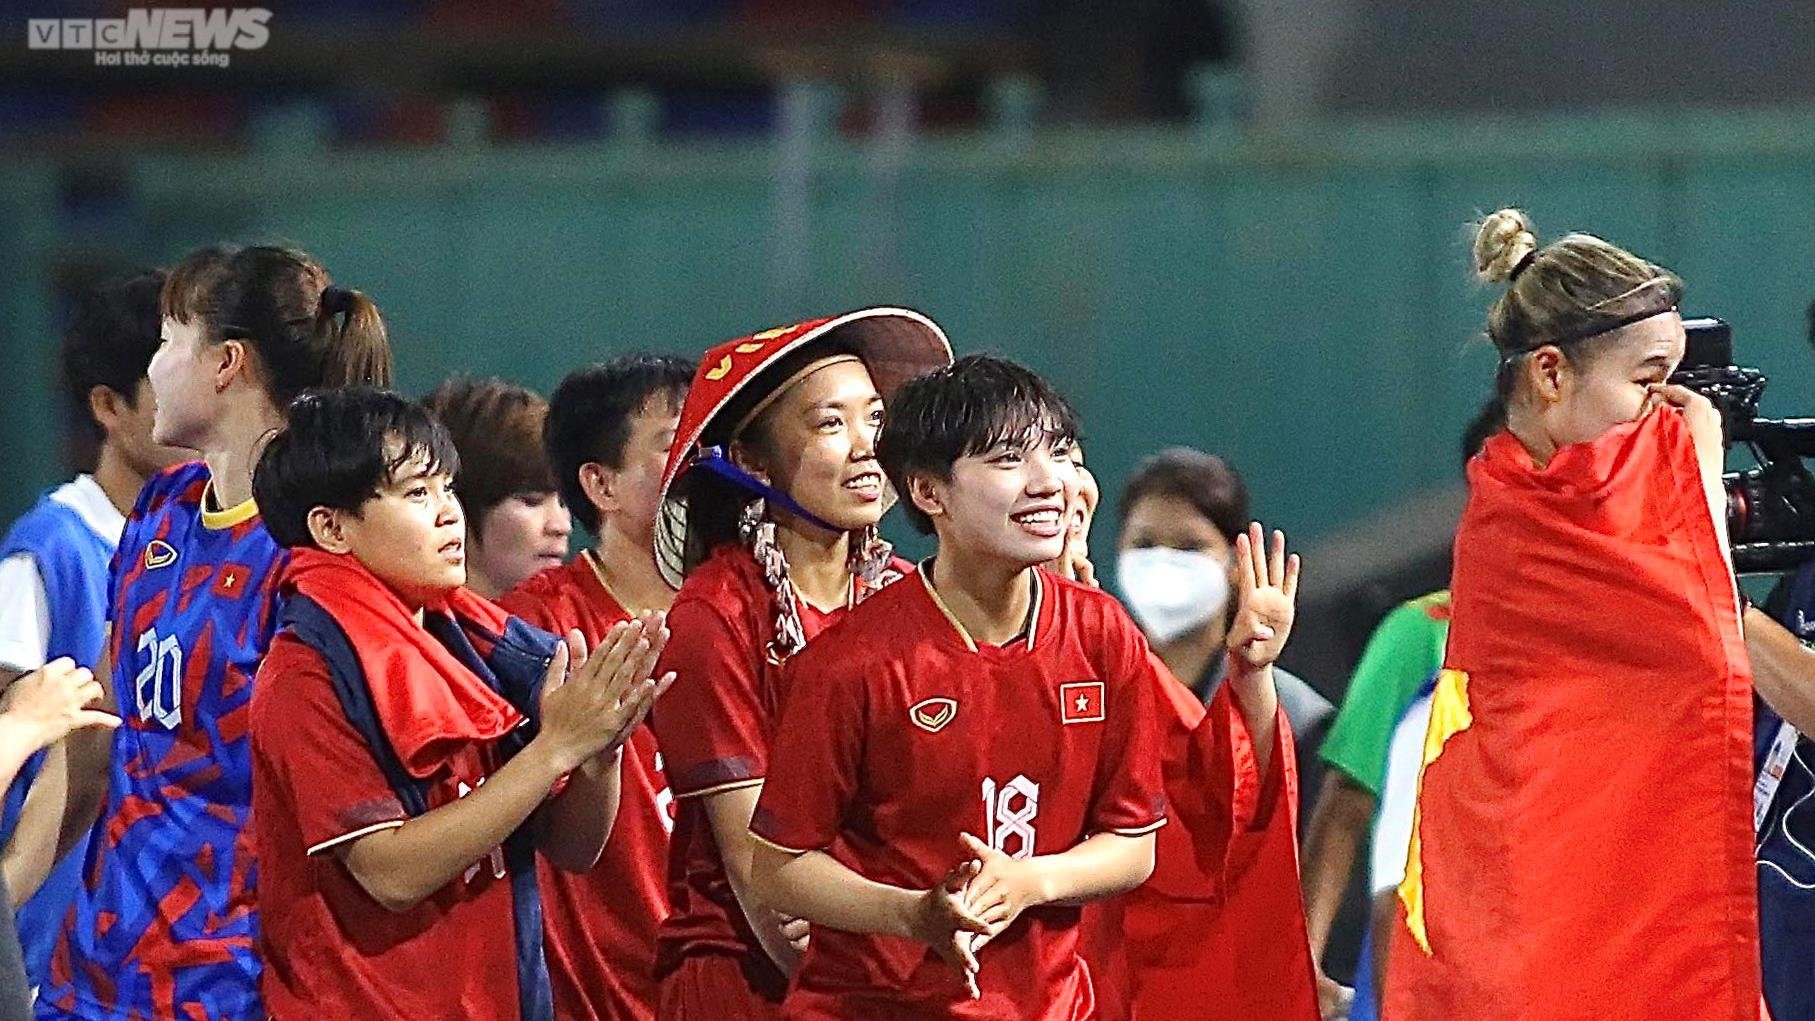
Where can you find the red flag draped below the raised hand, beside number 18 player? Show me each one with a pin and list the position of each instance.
(1219, 929)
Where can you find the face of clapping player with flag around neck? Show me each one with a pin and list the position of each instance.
(411, 534)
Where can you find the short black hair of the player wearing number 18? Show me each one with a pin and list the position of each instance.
(963, 411)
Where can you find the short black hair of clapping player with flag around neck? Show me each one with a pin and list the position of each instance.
(337, 451)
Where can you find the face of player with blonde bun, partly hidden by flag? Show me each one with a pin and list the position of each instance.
(1582, 398)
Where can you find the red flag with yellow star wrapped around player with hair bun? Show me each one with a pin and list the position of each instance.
(1584, 835)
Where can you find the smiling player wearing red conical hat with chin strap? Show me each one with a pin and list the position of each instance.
(770, 509)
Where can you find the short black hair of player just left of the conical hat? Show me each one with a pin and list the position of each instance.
(591, 411)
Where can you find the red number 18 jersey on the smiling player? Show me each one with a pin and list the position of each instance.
(901, 734)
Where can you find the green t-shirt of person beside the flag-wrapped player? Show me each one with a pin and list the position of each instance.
(1404, 654)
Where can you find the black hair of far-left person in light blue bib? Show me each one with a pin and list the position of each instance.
(110, 340)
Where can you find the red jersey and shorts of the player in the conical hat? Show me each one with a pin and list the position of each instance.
(714, 726)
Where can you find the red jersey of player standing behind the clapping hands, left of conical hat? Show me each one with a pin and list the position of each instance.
(602, 926)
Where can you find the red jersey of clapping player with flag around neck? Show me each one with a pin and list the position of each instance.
(329, 949)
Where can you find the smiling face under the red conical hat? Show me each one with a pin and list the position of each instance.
(818, 443)
